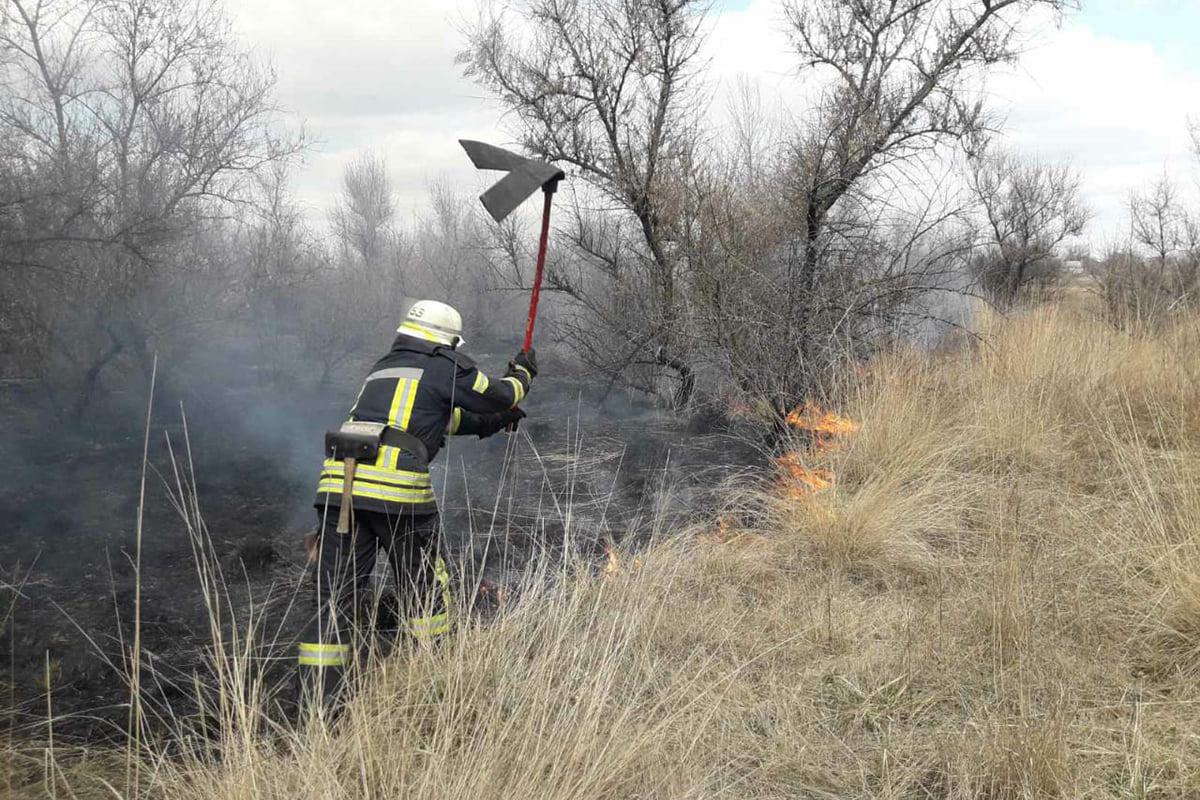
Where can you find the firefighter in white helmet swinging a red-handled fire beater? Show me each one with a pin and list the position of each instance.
(422, 390)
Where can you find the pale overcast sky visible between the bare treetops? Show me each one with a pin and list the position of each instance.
(1112, 89)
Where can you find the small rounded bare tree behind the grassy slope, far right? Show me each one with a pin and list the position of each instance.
(1030, 208)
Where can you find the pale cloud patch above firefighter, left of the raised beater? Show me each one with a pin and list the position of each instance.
(373, 76)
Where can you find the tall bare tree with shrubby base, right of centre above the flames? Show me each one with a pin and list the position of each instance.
(901, 82)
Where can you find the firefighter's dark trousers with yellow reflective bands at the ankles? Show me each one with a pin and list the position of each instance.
(346, 610)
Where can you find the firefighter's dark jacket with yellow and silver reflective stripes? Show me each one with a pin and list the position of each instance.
(428, 390)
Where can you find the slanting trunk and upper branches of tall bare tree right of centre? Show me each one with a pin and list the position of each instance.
(903, 80)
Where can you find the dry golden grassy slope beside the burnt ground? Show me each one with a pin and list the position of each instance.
(1000, 598)
